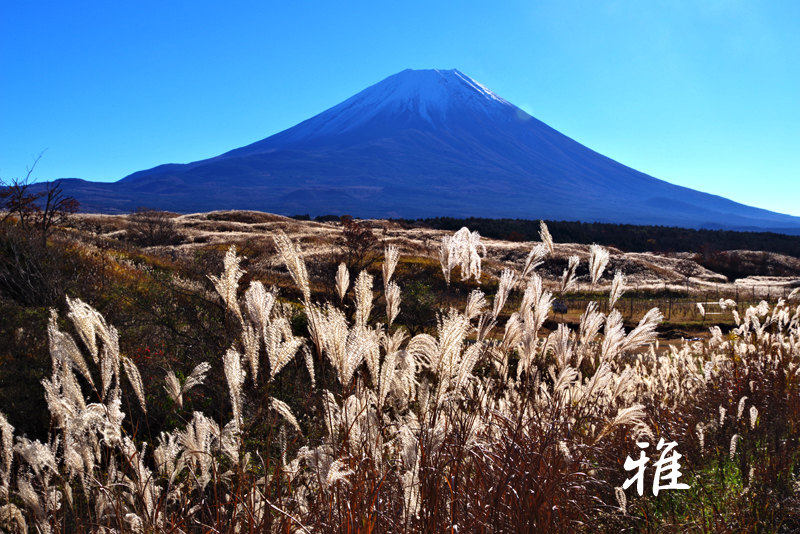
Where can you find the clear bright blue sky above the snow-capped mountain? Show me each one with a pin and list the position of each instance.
(702, 93)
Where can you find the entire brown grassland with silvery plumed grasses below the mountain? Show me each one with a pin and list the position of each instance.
(240, 379)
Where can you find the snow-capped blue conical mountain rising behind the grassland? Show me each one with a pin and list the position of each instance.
(424, 143)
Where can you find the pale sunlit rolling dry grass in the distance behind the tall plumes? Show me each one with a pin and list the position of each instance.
(645, 271)
